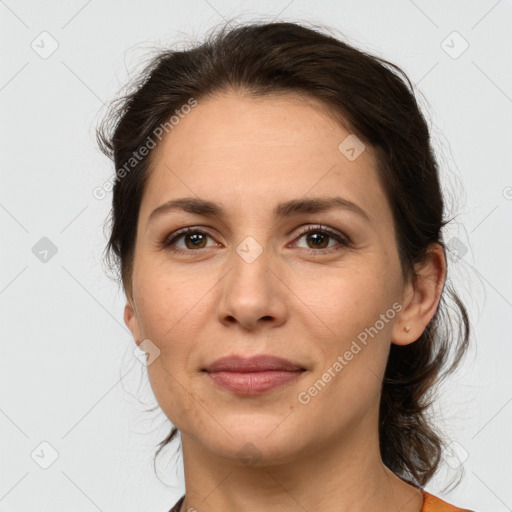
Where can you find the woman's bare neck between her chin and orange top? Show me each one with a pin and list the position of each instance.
(347, 476)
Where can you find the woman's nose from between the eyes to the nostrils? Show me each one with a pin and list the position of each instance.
(253, 293)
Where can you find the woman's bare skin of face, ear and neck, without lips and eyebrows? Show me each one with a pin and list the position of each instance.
(295, 300)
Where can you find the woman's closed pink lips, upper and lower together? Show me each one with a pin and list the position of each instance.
(254, 375)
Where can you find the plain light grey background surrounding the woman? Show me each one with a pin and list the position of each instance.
(68, 376)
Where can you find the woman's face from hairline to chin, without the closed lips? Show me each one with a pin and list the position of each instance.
(252, 282)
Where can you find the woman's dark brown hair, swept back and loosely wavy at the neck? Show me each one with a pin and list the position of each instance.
(376, 100)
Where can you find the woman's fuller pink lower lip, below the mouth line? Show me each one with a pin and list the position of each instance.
(253, 383)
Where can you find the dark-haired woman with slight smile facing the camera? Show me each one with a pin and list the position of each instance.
(276, 223)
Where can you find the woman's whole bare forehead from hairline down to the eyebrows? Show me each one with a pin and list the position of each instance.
(254, 152)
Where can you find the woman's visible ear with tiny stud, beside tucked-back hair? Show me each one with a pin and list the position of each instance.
(421, 297)
